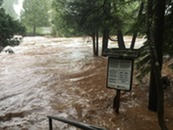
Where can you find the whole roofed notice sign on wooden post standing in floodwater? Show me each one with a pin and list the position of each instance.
(120, 71)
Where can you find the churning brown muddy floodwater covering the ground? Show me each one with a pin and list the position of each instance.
(61, 77)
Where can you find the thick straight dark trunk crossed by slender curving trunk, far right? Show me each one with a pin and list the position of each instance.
(158, 41)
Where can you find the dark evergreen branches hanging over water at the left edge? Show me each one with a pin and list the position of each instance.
(9, 27)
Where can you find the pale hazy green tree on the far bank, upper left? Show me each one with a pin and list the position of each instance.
(36, 14)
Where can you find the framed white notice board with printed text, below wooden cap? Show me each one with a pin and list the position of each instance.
(119, 73)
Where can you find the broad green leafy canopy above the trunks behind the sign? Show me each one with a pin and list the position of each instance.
(88, 15)
